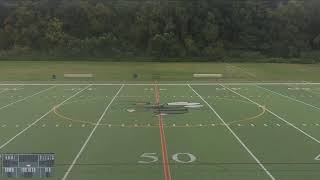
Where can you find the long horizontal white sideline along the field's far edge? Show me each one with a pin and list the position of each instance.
(168, 84)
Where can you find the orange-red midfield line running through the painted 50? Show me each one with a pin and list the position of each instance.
(166, 166)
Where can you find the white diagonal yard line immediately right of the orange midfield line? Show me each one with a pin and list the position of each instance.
(235, 135)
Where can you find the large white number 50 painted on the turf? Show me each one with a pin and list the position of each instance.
(184, 158)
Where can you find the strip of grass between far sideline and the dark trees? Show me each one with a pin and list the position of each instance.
(149, 71)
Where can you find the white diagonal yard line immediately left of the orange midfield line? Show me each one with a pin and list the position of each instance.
(90, 135)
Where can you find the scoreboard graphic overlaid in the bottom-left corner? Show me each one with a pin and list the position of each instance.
(27, 165)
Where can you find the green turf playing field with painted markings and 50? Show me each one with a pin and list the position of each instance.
(208, 131)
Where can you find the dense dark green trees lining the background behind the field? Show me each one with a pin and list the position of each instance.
(211, 29)
